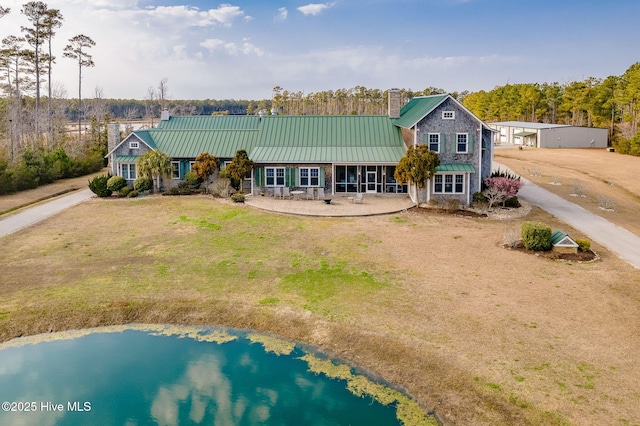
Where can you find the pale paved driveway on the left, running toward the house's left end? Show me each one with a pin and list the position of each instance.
(35, 214)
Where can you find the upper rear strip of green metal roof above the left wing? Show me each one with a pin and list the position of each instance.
(211, 122)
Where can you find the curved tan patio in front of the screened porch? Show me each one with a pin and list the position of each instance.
(339, 207)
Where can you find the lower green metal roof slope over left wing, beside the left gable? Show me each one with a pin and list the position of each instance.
(190, 143)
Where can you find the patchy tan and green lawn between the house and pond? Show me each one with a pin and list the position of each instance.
(431, 303)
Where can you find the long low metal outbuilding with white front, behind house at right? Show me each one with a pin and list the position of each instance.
(542, 135)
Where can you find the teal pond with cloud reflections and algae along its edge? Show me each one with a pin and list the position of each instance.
(168, 376)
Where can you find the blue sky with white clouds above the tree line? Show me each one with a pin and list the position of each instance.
(242, 49)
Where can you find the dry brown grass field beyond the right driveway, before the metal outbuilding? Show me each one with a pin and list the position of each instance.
(602, 174)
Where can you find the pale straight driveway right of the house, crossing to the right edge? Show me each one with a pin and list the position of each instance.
(620, 241)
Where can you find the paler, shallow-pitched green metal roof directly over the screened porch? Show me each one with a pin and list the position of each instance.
(327, 154)
